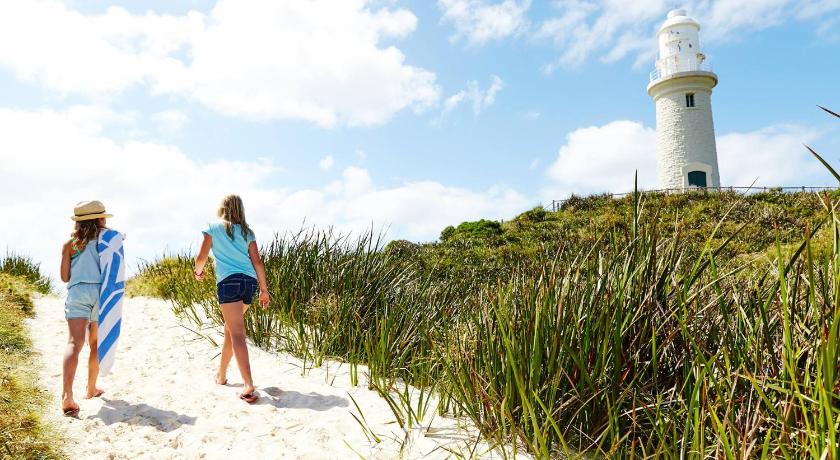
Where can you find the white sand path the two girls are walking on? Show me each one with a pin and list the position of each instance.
(161, 401)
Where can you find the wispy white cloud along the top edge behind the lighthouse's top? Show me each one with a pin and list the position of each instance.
(613, 29)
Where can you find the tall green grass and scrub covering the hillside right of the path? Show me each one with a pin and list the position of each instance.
(692, 325)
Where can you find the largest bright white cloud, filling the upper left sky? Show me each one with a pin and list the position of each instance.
(320, 61)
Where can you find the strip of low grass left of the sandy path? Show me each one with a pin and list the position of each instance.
(22, 434)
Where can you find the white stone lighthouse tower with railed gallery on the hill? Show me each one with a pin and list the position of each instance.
(681, 86)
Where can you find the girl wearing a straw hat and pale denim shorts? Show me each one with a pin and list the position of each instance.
(80, 270)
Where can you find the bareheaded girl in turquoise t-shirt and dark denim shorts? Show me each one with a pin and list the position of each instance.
(239, 269)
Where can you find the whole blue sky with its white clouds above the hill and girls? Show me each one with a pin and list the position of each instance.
(407, 114)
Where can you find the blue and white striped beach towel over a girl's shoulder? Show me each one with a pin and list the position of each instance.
(112, 266)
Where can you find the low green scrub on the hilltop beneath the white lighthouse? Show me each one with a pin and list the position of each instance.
(491, 249)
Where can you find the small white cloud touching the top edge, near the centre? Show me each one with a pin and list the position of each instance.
(480, 21)
